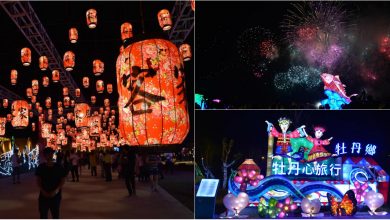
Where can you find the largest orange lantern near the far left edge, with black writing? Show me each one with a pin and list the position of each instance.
(19, 111)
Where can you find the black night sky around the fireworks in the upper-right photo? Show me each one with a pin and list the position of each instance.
(222, 73)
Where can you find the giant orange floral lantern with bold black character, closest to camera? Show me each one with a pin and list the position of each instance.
(152, 107)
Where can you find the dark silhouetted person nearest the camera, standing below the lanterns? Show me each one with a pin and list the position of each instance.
(50, 180)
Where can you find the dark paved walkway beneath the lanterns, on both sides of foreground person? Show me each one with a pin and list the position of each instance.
(92, 197)
